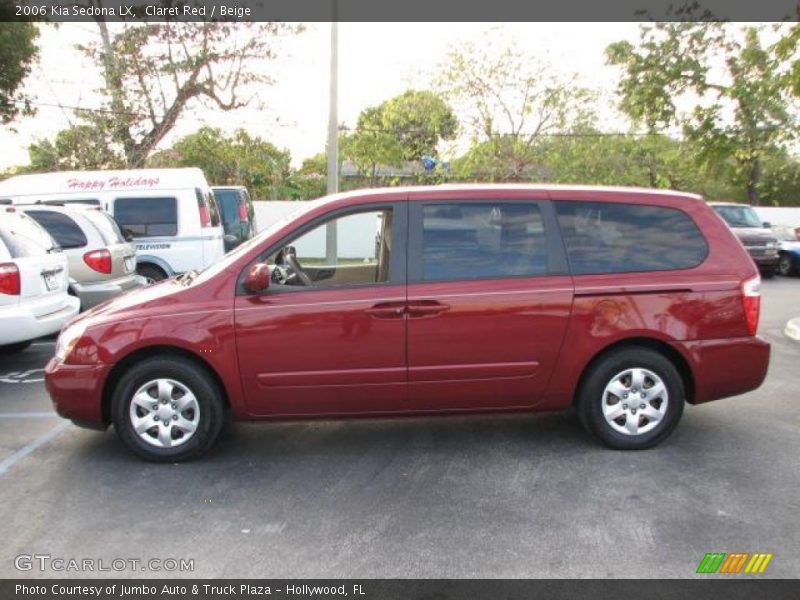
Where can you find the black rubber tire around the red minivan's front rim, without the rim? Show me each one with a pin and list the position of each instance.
(190, 375)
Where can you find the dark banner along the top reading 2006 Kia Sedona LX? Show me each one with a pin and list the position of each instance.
(398, 10)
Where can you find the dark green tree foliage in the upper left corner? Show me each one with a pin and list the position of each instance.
(18, 51)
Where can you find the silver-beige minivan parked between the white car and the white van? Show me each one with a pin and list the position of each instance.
(102, 264)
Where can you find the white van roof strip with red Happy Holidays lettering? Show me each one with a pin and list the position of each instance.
(63, 182)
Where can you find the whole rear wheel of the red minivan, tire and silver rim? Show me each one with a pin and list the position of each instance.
(631, 398)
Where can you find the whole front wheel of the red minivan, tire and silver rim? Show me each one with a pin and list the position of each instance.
(167, 409)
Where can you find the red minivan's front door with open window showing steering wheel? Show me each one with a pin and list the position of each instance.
(328, 337)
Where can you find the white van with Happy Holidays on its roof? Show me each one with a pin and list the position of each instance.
(170, 214)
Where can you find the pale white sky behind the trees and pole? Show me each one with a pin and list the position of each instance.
(376, 61)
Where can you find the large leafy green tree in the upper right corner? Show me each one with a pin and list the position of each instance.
(741, 114)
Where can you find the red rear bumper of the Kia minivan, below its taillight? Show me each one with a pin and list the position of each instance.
(728, 367)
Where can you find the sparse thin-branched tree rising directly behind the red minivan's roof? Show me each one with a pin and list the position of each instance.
(510, 102)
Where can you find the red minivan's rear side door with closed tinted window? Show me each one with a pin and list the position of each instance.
(489, 299)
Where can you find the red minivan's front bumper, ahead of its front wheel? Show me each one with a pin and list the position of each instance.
(77, 391)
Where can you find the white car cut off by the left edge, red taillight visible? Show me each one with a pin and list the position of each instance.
(33, 283)
